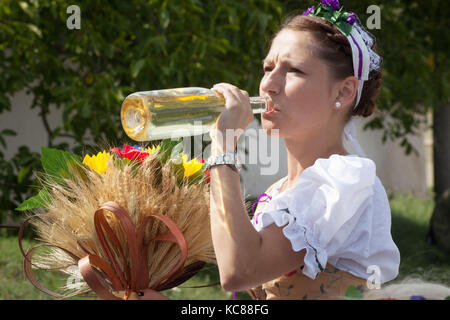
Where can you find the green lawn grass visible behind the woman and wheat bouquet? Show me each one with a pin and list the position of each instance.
(410, 221)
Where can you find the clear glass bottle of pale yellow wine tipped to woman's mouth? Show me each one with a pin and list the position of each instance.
(174, 113)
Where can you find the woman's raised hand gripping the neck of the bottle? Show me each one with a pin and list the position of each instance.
(233, 120)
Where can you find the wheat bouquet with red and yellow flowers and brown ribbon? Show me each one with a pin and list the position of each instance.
(126, 223)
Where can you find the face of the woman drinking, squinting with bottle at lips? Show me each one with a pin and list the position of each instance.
(299, 87)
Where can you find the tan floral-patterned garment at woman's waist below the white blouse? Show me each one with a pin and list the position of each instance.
(329, 284)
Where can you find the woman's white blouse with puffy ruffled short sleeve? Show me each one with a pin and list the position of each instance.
(339, 212)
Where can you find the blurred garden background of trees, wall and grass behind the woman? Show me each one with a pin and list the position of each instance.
(65, 70)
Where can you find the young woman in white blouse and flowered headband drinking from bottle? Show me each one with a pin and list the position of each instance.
(326, 225)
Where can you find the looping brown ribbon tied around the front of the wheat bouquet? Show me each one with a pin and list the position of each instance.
(130, 279)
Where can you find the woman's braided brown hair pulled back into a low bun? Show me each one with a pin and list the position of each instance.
(334, 49)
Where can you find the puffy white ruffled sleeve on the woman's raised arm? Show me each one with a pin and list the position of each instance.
(322, 209)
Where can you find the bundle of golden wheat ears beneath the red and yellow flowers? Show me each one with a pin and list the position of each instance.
(142, 189)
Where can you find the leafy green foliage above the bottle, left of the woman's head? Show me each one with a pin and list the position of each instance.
(122, 47)
